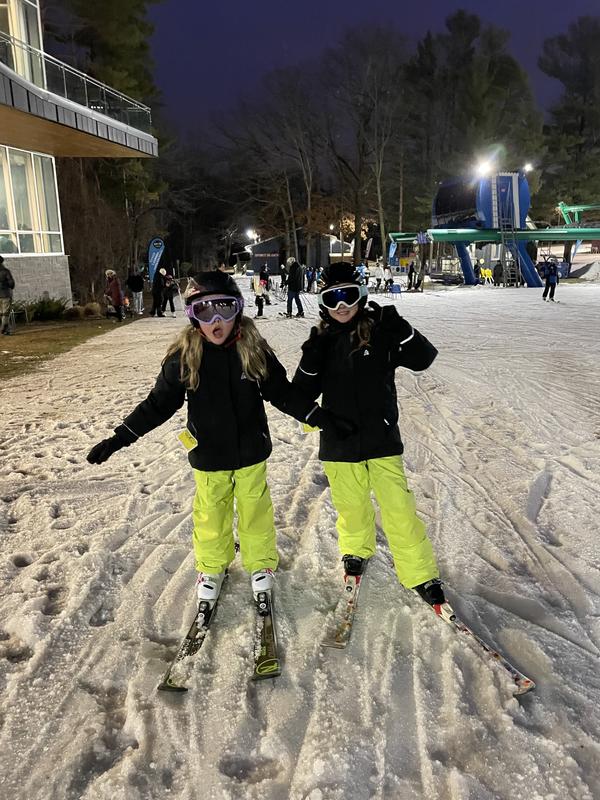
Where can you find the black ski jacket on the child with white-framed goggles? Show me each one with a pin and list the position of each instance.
(358, 383)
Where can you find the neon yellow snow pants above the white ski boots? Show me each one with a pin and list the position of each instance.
(213, 509)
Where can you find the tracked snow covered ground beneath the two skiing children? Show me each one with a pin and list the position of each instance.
(503, 452)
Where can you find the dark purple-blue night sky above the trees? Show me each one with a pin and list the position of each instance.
(209, 53)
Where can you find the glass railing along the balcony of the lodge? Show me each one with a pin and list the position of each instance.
(53, 75)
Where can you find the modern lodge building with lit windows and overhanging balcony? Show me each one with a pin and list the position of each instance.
(49, 109)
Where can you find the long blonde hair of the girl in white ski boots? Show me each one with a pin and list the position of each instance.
(251, 347)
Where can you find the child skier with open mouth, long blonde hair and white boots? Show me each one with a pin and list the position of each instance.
(225, 369)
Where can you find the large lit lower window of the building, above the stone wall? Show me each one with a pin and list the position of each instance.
(29, 210)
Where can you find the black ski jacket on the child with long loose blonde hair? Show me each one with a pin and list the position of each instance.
(226, 412)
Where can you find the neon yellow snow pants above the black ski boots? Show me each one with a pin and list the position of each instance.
(351, 485)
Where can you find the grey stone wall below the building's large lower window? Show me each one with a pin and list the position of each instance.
(35, 275)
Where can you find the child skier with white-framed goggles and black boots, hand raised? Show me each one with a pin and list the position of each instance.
(350, 359)
